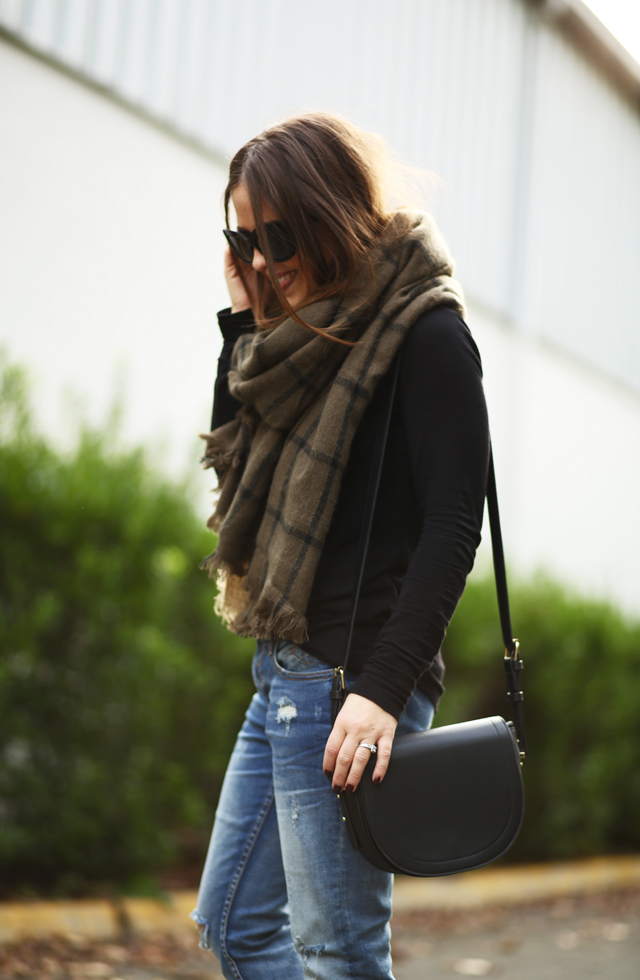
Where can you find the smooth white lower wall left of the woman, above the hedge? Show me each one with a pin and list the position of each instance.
(110, 259)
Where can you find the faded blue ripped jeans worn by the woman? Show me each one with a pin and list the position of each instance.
(283, 894)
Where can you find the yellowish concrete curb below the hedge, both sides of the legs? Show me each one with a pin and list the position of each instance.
(104, 920)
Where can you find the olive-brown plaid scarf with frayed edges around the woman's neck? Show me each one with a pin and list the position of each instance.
(281, 460)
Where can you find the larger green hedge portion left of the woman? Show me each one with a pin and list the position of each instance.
(120, 693)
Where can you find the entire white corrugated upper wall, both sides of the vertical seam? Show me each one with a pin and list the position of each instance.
(538, 155)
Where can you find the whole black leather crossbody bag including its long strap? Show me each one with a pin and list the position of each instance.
(452, 798)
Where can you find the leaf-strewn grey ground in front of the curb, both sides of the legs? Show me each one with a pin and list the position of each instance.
(568, 939)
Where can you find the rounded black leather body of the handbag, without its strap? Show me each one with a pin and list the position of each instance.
(452, 798)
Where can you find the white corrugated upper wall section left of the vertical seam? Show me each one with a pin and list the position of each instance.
(436, 79)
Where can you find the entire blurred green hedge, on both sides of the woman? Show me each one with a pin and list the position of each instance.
(120, 694)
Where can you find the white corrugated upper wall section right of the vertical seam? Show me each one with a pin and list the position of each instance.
(582, 285)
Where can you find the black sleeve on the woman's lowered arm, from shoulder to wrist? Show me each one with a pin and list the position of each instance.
(445, 421)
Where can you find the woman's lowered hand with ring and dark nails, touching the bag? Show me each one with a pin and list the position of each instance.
(359, 720)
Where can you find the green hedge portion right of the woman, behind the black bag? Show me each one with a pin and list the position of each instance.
(581, 680)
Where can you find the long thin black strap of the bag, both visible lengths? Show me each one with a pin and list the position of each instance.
(512, 661)
